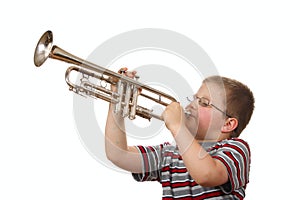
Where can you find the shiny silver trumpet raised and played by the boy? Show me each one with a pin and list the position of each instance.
(125, 99)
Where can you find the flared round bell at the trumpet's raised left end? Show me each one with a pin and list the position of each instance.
(43, 48)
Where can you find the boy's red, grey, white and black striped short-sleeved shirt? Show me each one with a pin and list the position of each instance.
(164, 164)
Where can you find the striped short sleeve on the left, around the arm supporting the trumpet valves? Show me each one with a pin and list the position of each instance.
(151, 162)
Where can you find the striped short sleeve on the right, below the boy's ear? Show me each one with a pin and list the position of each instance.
(235, 155)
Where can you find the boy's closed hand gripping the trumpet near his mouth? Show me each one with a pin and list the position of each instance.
(173, 117)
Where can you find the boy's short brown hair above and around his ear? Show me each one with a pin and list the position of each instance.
(239, 100)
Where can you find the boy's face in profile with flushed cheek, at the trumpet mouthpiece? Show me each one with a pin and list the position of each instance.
(206, 122)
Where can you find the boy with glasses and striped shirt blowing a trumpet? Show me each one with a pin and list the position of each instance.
(208, 161)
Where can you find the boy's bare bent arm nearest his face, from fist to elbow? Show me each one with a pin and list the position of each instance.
(204, 169)
